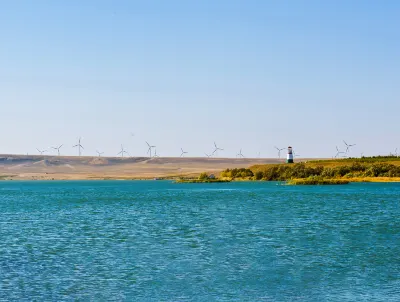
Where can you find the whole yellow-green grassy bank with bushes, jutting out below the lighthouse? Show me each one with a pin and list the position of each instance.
(353, 170)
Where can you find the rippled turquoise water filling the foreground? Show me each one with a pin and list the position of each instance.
(158, 241)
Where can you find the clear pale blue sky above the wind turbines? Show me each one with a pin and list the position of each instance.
(247, 74)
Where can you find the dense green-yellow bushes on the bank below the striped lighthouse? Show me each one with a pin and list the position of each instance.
(301, 170)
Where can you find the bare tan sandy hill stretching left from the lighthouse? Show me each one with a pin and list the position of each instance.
(85, 167)
